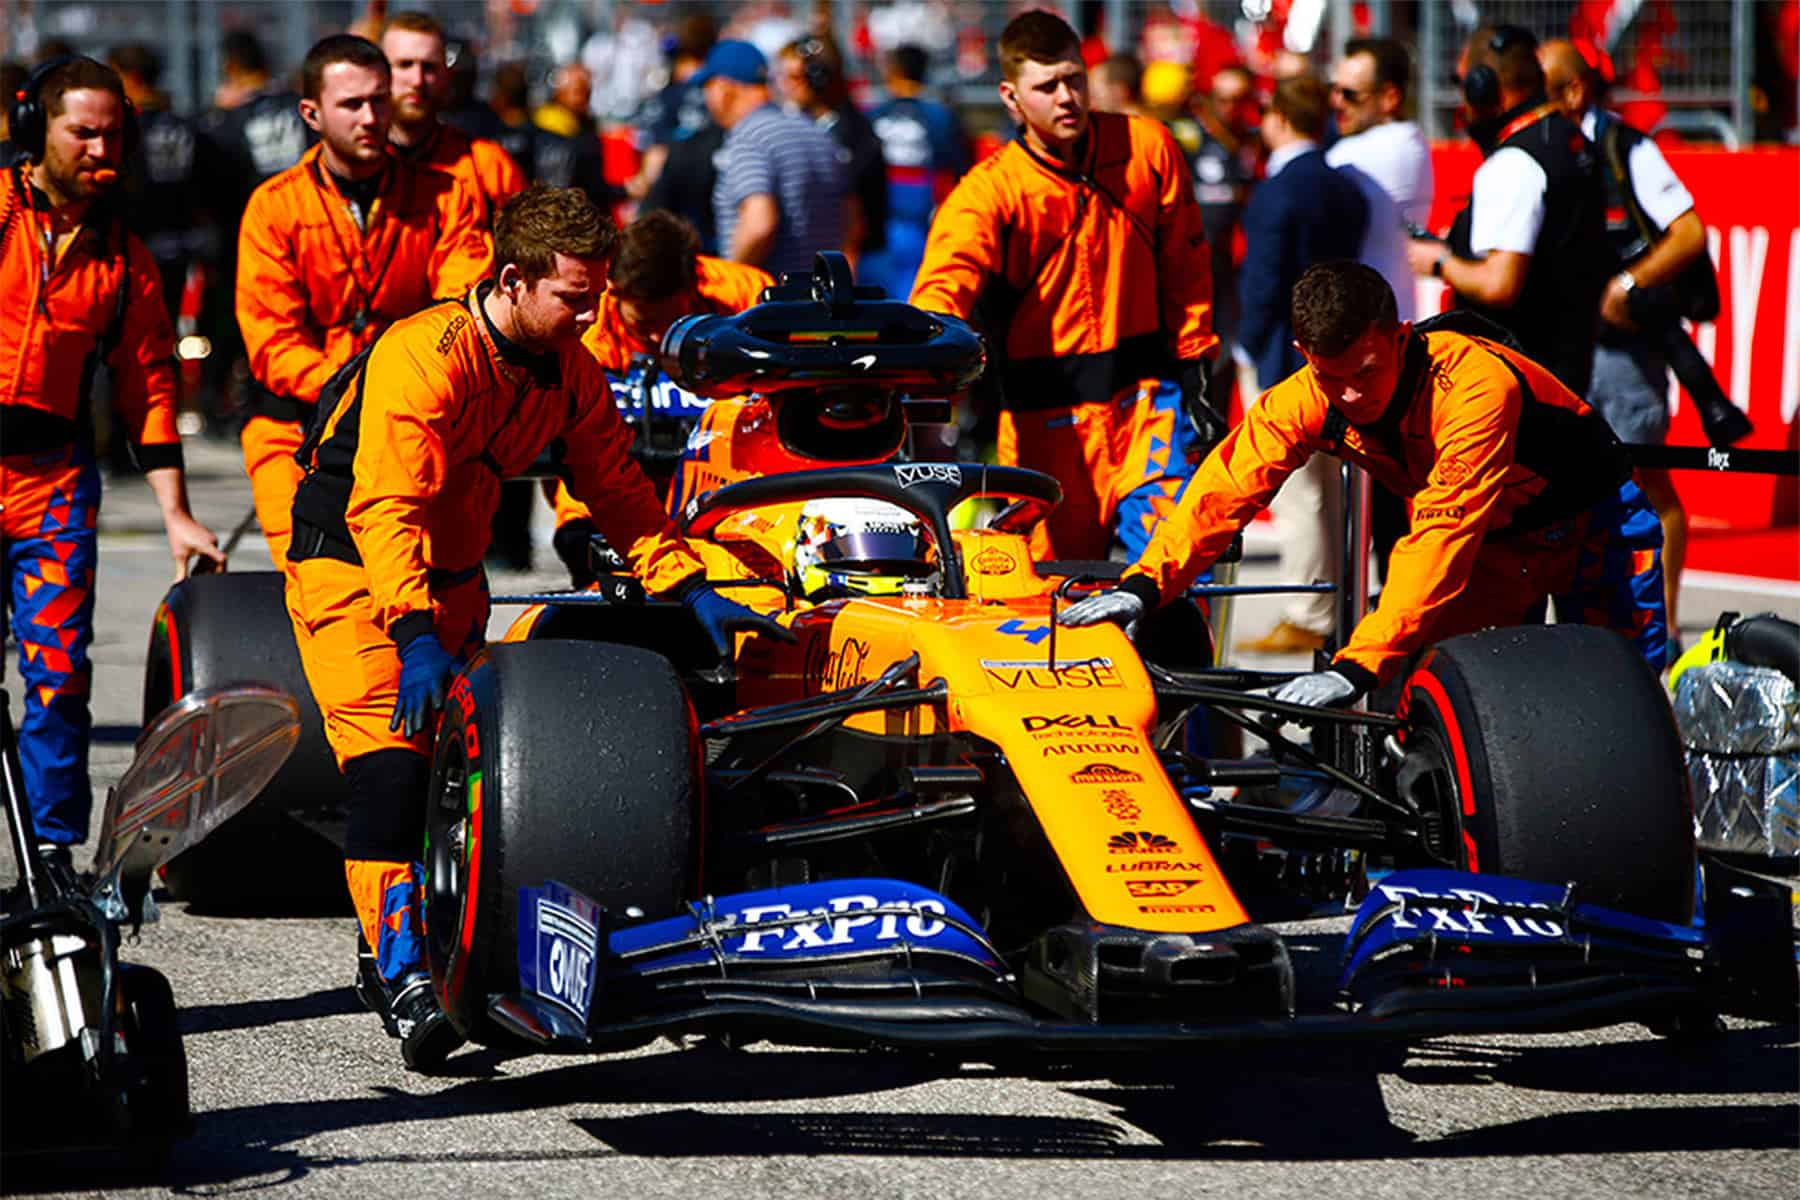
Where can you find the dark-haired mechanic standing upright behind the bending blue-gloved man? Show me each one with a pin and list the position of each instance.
(330, 253)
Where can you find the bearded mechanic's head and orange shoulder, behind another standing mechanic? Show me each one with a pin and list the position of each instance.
(415, 48)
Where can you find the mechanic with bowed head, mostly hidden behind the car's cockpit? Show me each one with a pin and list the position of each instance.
(658, 278)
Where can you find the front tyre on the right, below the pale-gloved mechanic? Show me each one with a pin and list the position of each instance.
(1551, 755)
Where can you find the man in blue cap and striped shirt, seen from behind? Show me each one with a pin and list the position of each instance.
(782, 184)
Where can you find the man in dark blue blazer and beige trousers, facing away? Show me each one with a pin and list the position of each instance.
(1300, 215)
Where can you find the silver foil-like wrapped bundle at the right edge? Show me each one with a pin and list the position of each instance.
(1741, 730)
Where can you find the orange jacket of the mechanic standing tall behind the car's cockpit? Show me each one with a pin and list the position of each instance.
(1084, 282)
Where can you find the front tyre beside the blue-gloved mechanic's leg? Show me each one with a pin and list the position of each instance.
(570, 762)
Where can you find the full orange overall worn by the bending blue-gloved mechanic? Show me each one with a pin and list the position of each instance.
(390, 532)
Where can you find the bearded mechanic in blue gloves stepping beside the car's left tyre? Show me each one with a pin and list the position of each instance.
(386, 584)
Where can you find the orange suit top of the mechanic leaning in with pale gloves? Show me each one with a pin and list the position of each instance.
(1480, 442)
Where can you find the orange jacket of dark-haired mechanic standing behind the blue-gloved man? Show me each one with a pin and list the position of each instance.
(314, 289)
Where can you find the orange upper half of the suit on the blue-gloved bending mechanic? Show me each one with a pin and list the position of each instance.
(409, 465)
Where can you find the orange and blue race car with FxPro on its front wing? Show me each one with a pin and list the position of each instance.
(944, 819)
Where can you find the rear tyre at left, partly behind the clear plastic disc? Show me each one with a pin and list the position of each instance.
(233, 629)
